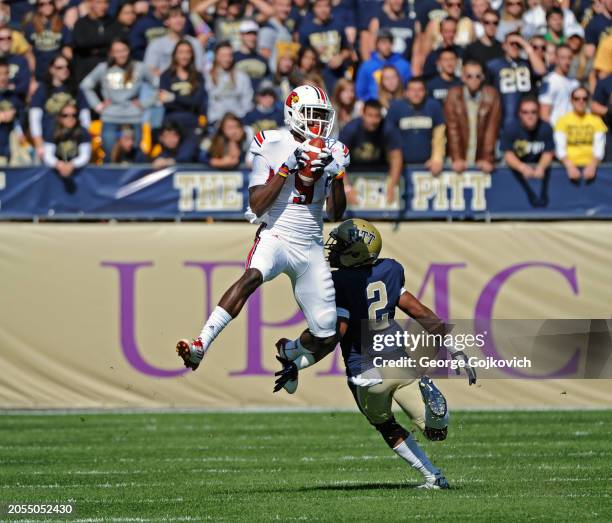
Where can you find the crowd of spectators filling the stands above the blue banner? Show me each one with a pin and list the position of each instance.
(456, 83)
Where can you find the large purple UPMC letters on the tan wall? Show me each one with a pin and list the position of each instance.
(438, 276)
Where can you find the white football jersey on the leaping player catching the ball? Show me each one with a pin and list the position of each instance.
(298, 210)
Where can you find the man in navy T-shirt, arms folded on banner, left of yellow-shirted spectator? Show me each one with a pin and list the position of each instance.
(528, 144)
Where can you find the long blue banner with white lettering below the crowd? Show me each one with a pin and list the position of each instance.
(195, 192)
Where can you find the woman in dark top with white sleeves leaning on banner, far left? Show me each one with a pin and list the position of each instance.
(69, 148)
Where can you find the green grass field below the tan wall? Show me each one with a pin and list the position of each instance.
(503, 466)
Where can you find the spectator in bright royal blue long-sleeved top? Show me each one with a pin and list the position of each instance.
(368, 76)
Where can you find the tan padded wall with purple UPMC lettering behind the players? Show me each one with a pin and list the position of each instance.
(90, 313)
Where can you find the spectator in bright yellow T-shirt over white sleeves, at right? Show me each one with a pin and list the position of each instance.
(580, 138)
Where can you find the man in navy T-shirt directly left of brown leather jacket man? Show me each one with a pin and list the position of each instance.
(420, 122)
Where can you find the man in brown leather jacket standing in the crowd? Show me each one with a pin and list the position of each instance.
(473, 113)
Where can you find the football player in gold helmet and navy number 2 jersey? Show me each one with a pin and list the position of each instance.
(369, 288)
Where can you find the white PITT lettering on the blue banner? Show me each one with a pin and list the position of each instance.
(449, 191)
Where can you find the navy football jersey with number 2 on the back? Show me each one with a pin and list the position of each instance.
(366, 295)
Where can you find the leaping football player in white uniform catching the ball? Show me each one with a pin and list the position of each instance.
(289, 240)
